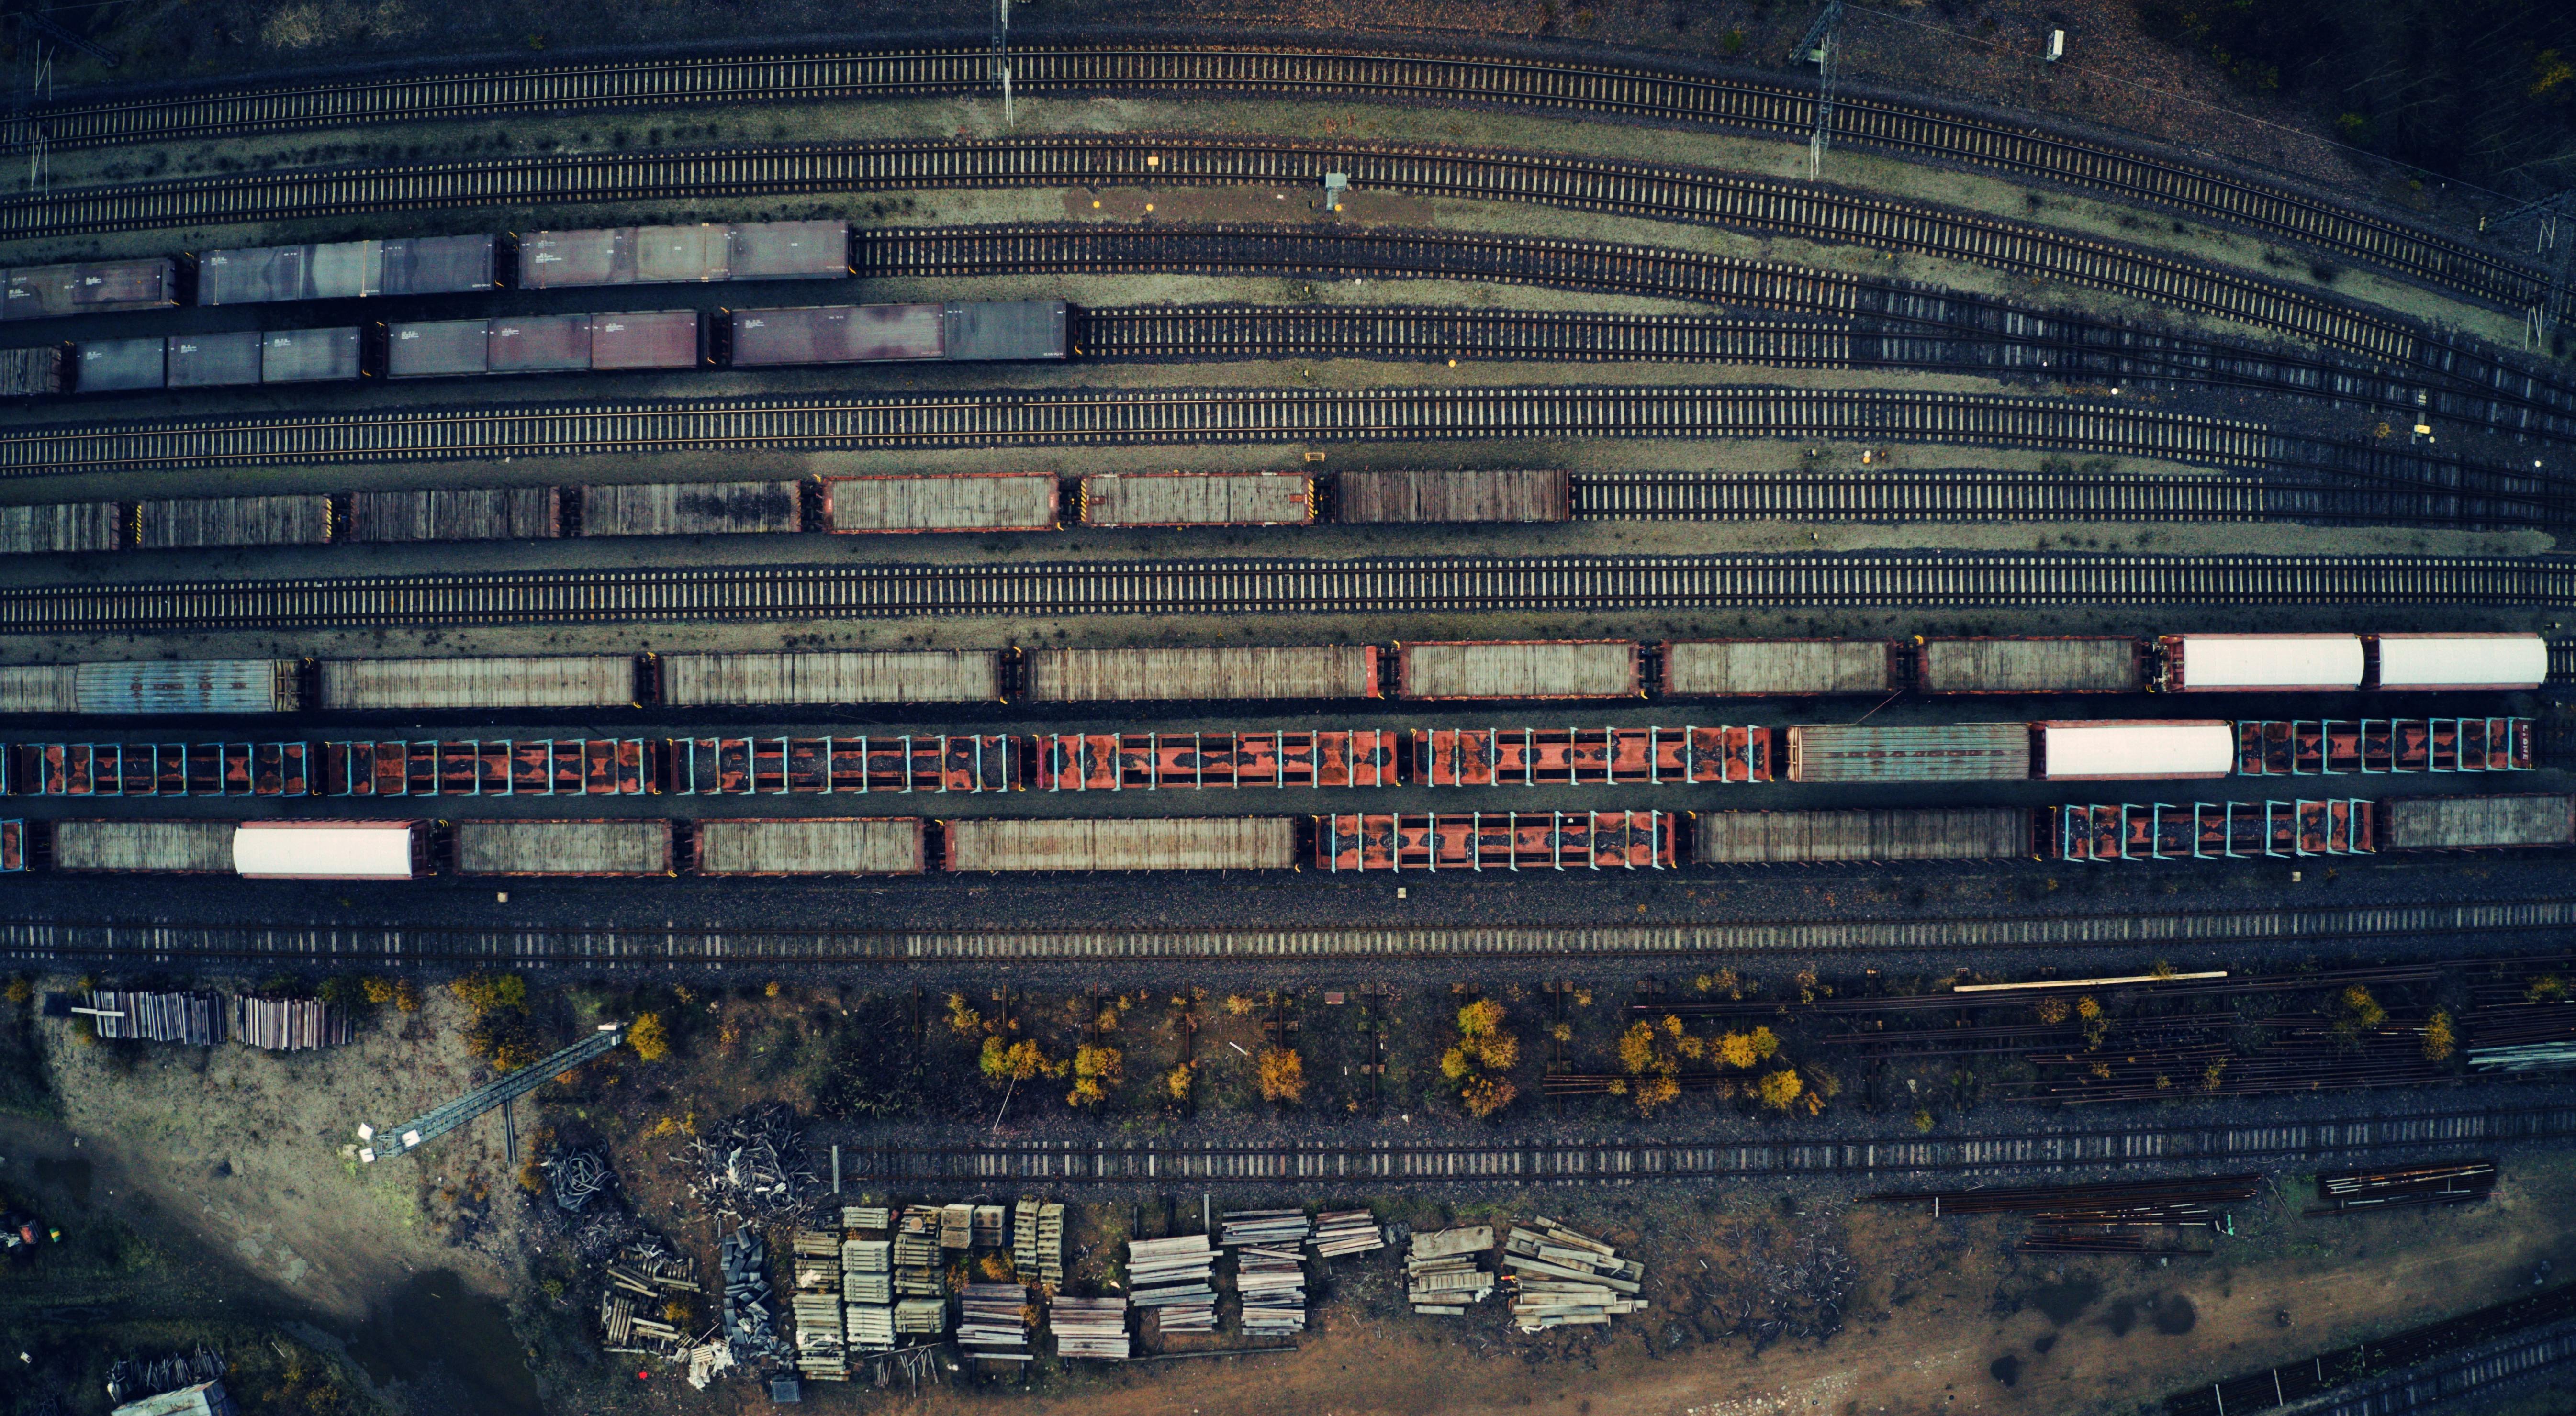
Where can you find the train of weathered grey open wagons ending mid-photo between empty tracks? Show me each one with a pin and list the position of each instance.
(851, 506)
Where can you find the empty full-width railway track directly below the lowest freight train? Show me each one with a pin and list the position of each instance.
(666, 946)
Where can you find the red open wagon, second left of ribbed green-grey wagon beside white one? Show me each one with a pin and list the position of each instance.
(1364, 758)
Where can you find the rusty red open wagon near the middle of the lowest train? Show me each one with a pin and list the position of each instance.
(1498, 841)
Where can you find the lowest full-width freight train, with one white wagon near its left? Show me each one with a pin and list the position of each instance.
(1338, 843)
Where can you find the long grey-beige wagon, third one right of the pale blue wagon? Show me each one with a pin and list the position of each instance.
(1215, 676)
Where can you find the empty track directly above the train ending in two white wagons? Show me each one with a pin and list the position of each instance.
(1284, 588)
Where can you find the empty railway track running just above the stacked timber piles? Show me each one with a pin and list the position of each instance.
(1642, 1160)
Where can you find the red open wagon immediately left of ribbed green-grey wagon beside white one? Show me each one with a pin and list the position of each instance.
(1482, 758)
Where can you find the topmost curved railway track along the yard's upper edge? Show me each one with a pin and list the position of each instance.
(1627, 91)
